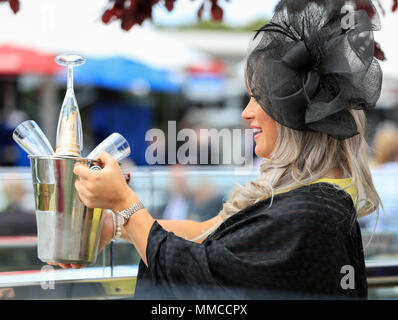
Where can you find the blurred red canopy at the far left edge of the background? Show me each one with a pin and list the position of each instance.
(16, 60)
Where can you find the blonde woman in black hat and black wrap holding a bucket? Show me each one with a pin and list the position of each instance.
(293, 231)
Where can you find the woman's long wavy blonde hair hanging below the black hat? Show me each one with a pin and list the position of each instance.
(302, 157)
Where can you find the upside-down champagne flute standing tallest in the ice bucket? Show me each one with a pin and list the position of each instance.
(69, 140)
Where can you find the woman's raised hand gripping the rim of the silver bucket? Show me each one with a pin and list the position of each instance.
(105, 188)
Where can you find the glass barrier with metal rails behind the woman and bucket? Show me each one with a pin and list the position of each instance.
(168, 193)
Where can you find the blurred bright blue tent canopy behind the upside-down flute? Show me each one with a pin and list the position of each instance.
(120, 73)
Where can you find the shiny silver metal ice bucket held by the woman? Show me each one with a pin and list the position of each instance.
(67, 231)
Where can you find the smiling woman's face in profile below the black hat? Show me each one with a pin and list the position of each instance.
(265, 130)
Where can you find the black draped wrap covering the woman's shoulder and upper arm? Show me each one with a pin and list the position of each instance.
(296, 248)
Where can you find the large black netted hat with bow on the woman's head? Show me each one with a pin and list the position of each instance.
(313, 62)
